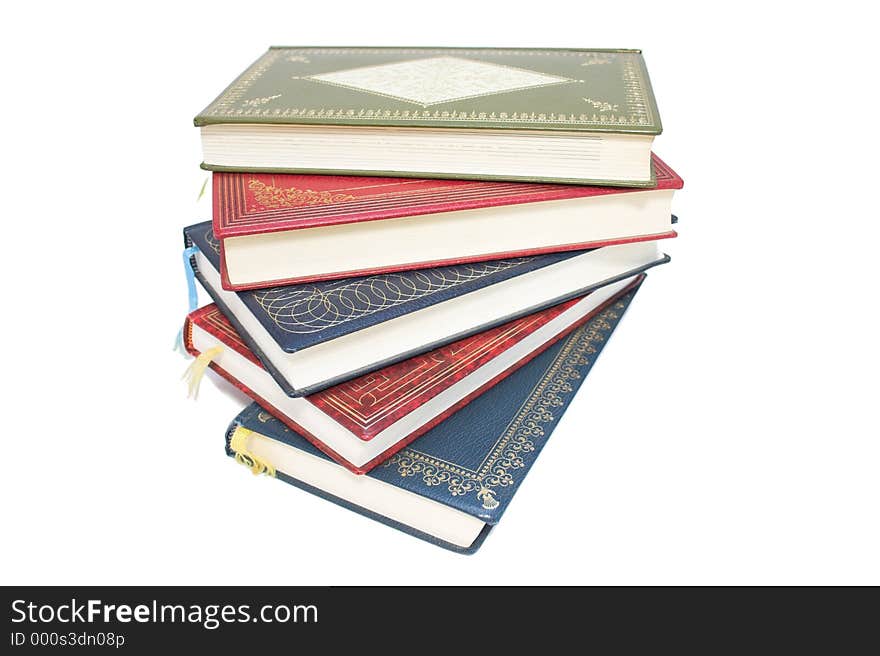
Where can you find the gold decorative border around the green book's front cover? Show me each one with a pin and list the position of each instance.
(227, 105)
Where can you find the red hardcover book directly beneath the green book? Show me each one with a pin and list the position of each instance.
(277, 229)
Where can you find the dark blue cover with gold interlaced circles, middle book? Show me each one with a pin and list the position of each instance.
(300, 316)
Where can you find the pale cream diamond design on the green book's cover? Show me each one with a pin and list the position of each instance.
(438, 79)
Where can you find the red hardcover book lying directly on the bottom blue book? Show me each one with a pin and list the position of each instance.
(362, 422)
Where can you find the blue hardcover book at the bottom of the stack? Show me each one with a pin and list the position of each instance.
(453, 484)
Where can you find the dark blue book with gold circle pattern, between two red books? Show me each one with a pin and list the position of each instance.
(311, 336)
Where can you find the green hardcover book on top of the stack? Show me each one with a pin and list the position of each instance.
(552, 115)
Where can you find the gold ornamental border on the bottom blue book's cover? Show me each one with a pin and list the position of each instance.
(512, 447)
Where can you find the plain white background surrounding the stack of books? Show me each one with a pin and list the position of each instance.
(728, 434)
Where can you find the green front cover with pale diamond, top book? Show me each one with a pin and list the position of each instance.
(499, 88)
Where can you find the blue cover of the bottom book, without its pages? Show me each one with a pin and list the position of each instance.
(476, 459)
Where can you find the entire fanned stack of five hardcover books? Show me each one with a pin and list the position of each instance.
(416, 256)
